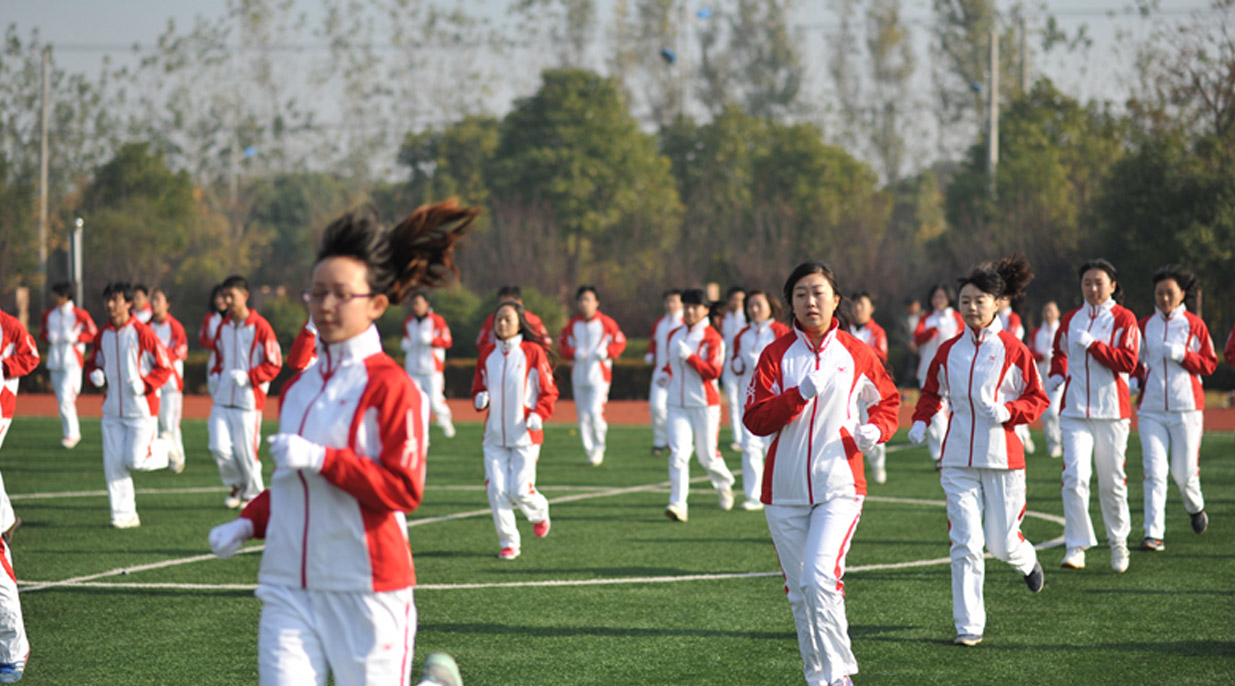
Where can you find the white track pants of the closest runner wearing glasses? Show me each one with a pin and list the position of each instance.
(361, 638)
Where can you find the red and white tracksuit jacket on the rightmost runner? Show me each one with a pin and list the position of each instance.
(1166, 385)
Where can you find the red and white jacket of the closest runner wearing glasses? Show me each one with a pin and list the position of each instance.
(344, 530)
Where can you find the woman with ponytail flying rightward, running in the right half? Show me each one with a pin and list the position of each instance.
(992, 386)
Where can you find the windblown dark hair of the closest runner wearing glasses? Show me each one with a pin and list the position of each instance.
(417, 254)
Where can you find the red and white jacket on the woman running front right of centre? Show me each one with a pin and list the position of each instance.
(813, 457)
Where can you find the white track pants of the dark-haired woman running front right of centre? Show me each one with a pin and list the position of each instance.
(812, 543)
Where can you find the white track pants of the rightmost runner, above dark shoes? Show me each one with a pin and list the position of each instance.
(1170, 442)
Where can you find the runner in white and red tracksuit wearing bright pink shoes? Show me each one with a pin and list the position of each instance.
(514, 381)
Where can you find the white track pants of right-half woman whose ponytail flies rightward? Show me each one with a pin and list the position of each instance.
(985, 510)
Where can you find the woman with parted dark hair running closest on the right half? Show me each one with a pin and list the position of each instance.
(806, 396)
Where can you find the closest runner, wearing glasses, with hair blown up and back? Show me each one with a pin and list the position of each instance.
(337, 575)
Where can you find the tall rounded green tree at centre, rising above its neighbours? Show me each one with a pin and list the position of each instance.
(574, 150)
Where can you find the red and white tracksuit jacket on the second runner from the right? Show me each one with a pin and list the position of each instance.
(1097, 379)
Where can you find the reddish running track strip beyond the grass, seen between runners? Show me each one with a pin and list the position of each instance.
(617, 412)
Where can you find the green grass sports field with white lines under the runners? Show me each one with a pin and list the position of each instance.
(680, 604)
